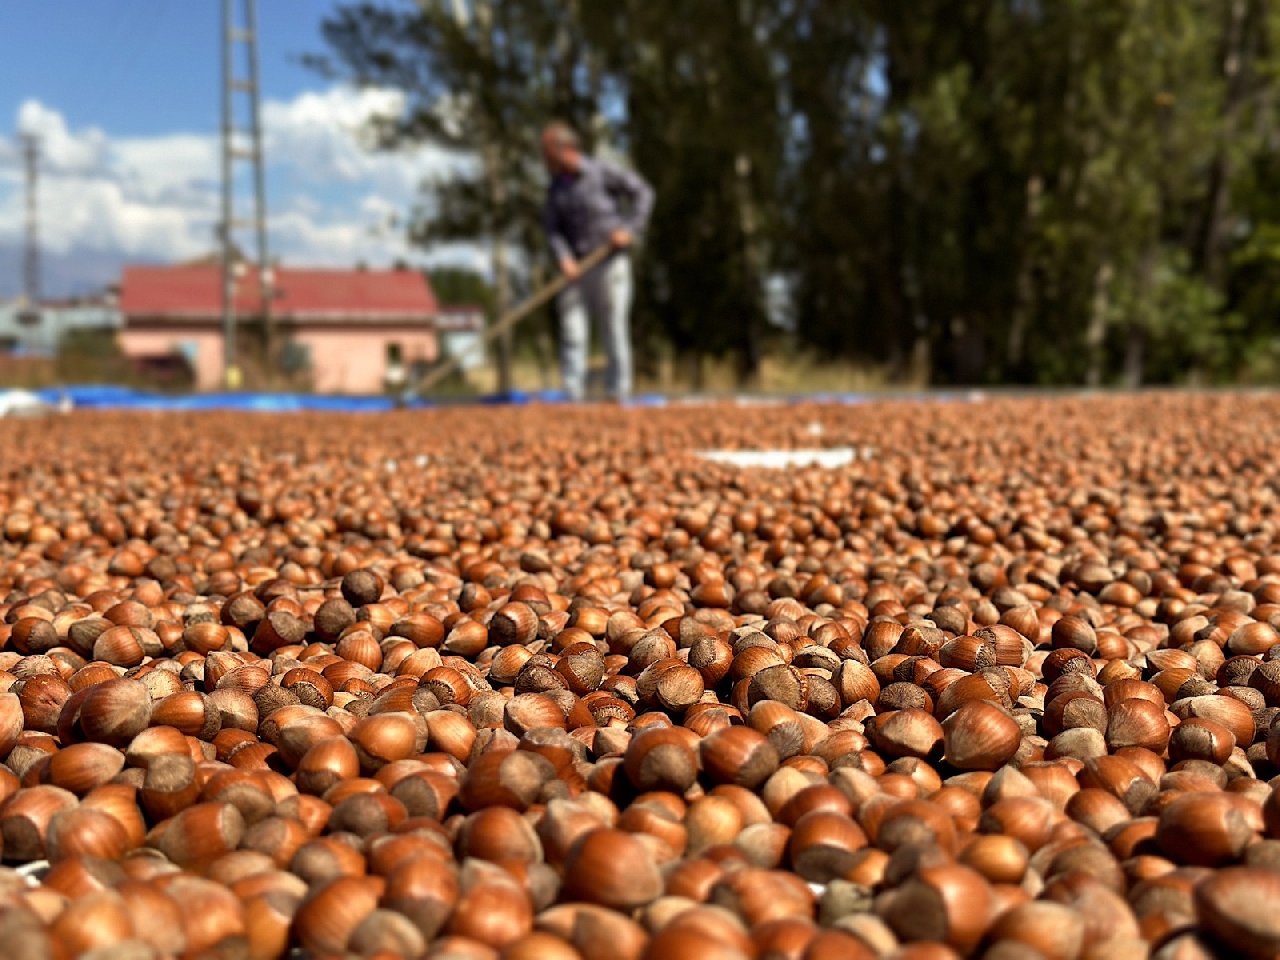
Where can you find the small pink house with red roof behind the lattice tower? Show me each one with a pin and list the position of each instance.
(349, 331)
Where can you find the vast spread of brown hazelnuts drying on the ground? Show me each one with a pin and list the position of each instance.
(546, 684)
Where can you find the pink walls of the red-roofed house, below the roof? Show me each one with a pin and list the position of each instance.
(342, 360)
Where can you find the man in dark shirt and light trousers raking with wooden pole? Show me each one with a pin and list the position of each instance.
(592, 204)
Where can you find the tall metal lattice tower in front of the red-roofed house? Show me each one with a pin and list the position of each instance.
(243, 144)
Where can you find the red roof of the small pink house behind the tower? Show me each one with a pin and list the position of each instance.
(195, 292)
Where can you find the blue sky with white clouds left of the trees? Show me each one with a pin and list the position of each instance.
(126, 97)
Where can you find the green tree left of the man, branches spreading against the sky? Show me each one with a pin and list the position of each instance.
(479, 77)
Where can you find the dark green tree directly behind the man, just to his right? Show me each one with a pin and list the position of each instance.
(702, 120)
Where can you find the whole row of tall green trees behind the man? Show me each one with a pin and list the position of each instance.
(971, 191)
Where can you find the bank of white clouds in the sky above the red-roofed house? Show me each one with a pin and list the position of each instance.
(331, 200)
